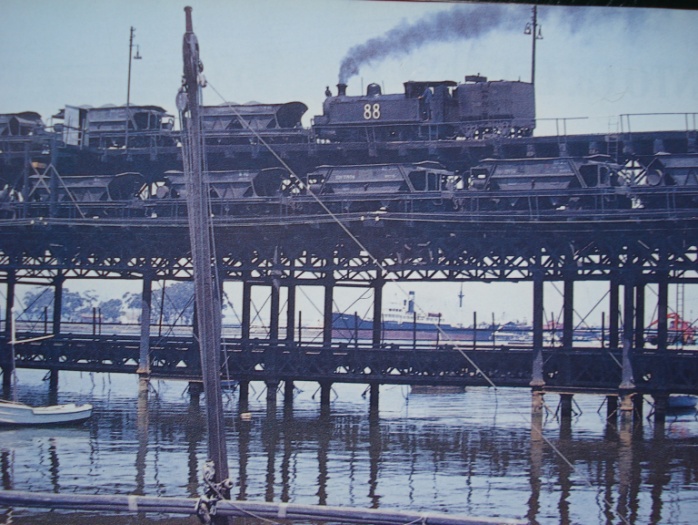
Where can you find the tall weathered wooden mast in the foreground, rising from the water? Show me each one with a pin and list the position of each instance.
(200, 231)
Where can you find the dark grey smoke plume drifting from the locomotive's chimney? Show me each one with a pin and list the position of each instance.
(458, 23)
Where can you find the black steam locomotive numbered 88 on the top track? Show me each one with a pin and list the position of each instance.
(475, 109)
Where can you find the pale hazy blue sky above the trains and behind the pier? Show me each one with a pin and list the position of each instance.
(597, 63)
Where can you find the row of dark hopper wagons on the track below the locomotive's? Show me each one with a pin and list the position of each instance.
(514, 185)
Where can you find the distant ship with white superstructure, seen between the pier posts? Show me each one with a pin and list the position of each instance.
(404, 323)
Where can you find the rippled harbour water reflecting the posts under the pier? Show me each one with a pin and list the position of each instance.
(472, 453)
